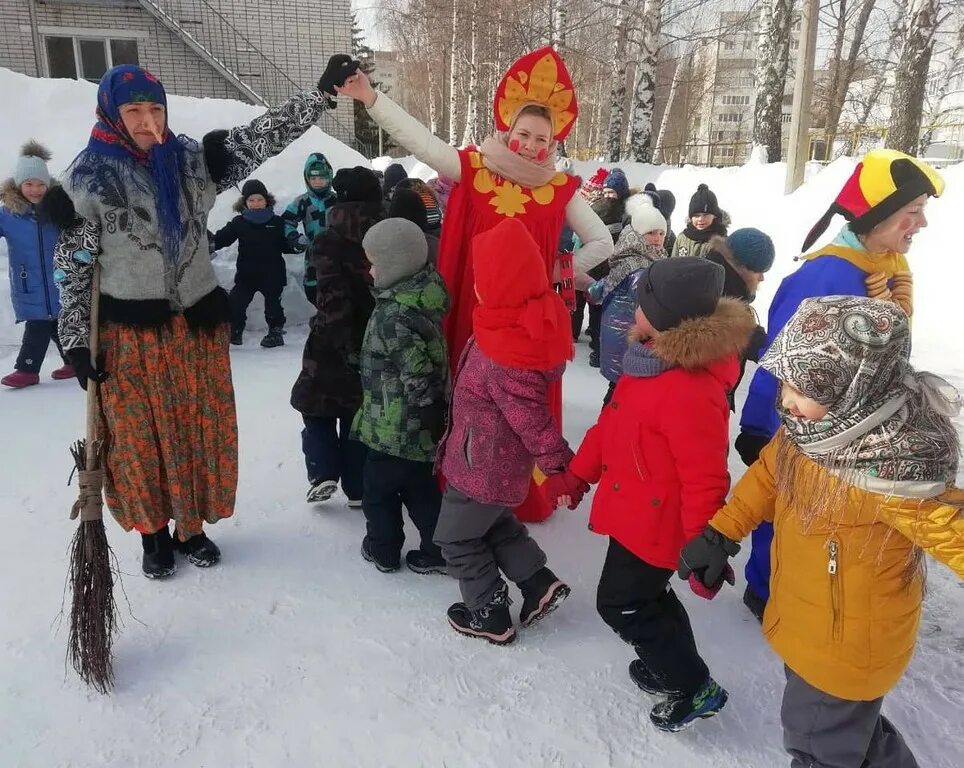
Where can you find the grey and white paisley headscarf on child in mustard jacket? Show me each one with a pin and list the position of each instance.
(889, 427)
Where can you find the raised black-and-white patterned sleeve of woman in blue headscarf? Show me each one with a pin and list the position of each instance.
(233, 155)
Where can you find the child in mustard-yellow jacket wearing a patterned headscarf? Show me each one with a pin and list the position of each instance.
(858, 485)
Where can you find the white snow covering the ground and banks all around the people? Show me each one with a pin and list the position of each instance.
(295, 652)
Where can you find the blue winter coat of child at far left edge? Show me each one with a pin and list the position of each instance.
(30, 249)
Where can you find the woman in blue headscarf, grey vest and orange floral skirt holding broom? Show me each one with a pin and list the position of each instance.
(136, 202)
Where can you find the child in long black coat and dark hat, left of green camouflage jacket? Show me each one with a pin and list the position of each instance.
(328, 390)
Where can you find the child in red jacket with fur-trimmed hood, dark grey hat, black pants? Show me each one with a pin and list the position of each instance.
(658, 454)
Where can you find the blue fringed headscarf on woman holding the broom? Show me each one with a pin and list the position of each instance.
(111, 143)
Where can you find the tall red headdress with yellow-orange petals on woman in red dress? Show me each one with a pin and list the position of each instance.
(540, 77)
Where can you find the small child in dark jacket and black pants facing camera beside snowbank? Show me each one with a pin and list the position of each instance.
(259, 233)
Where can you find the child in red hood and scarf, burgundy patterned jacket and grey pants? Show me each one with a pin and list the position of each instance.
(501, 428)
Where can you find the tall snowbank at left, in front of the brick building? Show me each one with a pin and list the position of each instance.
(60, 113)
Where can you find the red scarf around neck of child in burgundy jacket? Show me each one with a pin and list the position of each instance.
(536, 336)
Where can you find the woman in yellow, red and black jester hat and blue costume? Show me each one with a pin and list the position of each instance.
(883, 202)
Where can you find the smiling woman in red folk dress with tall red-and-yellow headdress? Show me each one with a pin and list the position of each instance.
(510, 175)
